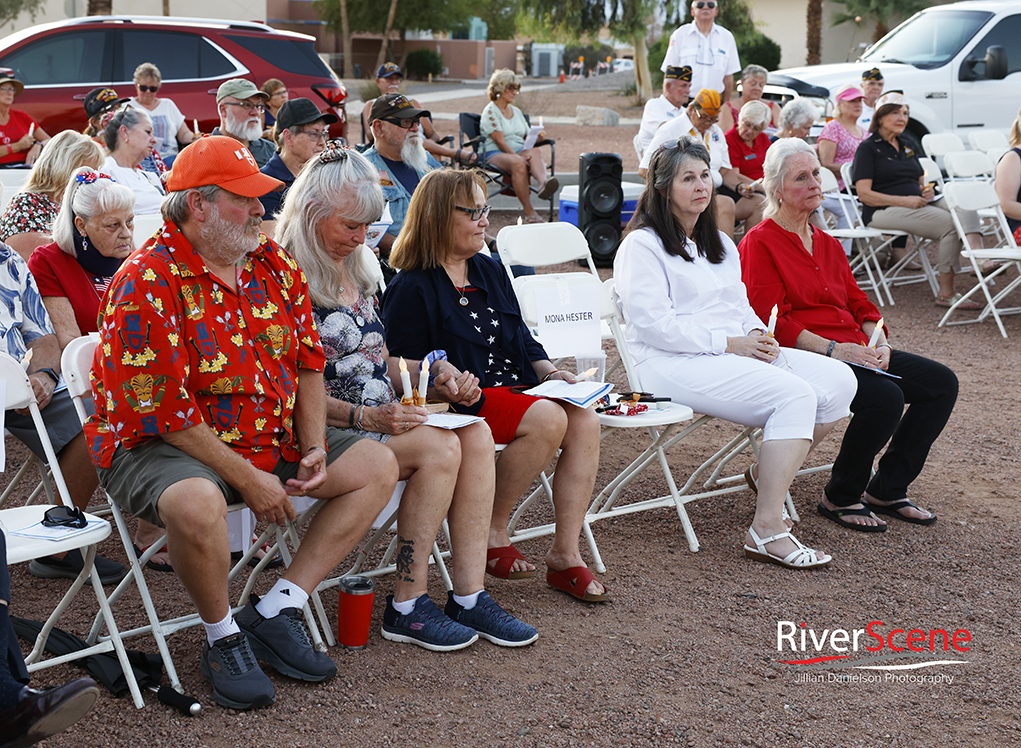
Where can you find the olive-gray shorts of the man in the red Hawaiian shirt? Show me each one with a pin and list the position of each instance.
(137, 478)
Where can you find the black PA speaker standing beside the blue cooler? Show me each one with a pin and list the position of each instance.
(601, 198)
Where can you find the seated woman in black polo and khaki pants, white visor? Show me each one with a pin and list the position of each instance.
(896, 194)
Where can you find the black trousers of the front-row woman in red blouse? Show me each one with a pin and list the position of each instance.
(930, 389)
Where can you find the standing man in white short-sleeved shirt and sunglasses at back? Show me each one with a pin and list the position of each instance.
(708, 48)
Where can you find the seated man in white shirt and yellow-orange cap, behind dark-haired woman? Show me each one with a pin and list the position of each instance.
(737, 196)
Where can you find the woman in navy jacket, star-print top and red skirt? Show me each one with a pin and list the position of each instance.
(453, 297)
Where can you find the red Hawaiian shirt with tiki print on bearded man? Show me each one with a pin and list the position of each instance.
(178, 348)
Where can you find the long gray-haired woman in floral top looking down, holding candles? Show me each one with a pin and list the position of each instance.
(449, 474)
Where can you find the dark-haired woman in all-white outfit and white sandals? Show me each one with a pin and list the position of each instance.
(696, 339)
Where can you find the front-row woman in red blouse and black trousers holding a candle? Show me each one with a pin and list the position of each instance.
(803, 271)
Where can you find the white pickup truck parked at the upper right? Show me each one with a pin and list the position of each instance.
(959, 66)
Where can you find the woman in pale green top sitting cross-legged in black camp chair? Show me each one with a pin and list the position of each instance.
(505, 129)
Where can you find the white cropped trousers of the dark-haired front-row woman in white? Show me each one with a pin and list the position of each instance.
(786, 398)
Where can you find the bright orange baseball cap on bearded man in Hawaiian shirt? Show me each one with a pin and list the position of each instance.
(216, 160)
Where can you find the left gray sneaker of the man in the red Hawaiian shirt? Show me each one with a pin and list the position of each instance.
(237, 680)
